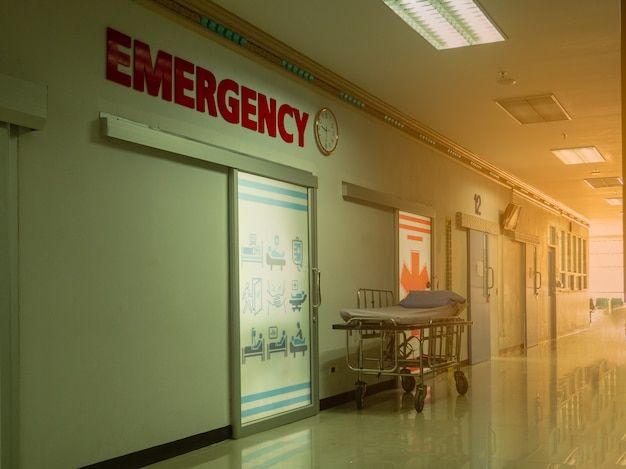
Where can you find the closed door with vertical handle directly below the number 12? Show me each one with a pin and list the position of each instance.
(481, 280)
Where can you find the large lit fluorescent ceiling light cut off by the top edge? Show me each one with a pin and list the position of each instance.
(447, 24)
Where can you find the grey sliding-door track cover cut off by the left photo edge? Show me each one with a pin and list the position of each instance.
(23, 103)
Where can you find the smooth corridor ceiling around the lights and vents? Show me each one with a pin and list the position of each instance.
(570, 48)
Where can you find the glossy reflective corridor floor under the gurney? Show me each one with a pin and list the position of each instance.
(562, 405)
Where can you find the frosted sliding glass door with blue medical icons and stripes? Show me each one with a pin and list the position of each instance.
(275, 338)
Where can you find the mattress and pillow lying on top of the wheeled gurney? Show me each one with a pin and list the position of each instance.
(441, 305)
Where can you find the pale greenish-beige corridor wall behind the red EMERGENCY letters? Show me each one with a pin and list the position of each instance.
(123, 271)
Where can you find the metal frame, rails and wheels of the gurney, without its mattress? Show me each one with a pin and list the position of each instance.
(385, 348)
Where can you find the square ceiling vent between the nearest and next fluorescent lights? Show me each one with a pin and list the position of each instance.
(534, 109)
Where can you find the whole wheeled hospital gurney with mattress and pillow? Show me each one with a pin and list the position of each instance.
(409, 342)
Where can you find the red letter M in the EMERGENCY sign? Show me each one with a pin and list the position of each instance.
(154, 77)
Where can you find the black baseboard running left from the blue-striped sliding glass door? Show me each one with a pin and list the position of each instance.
(166, 451)
